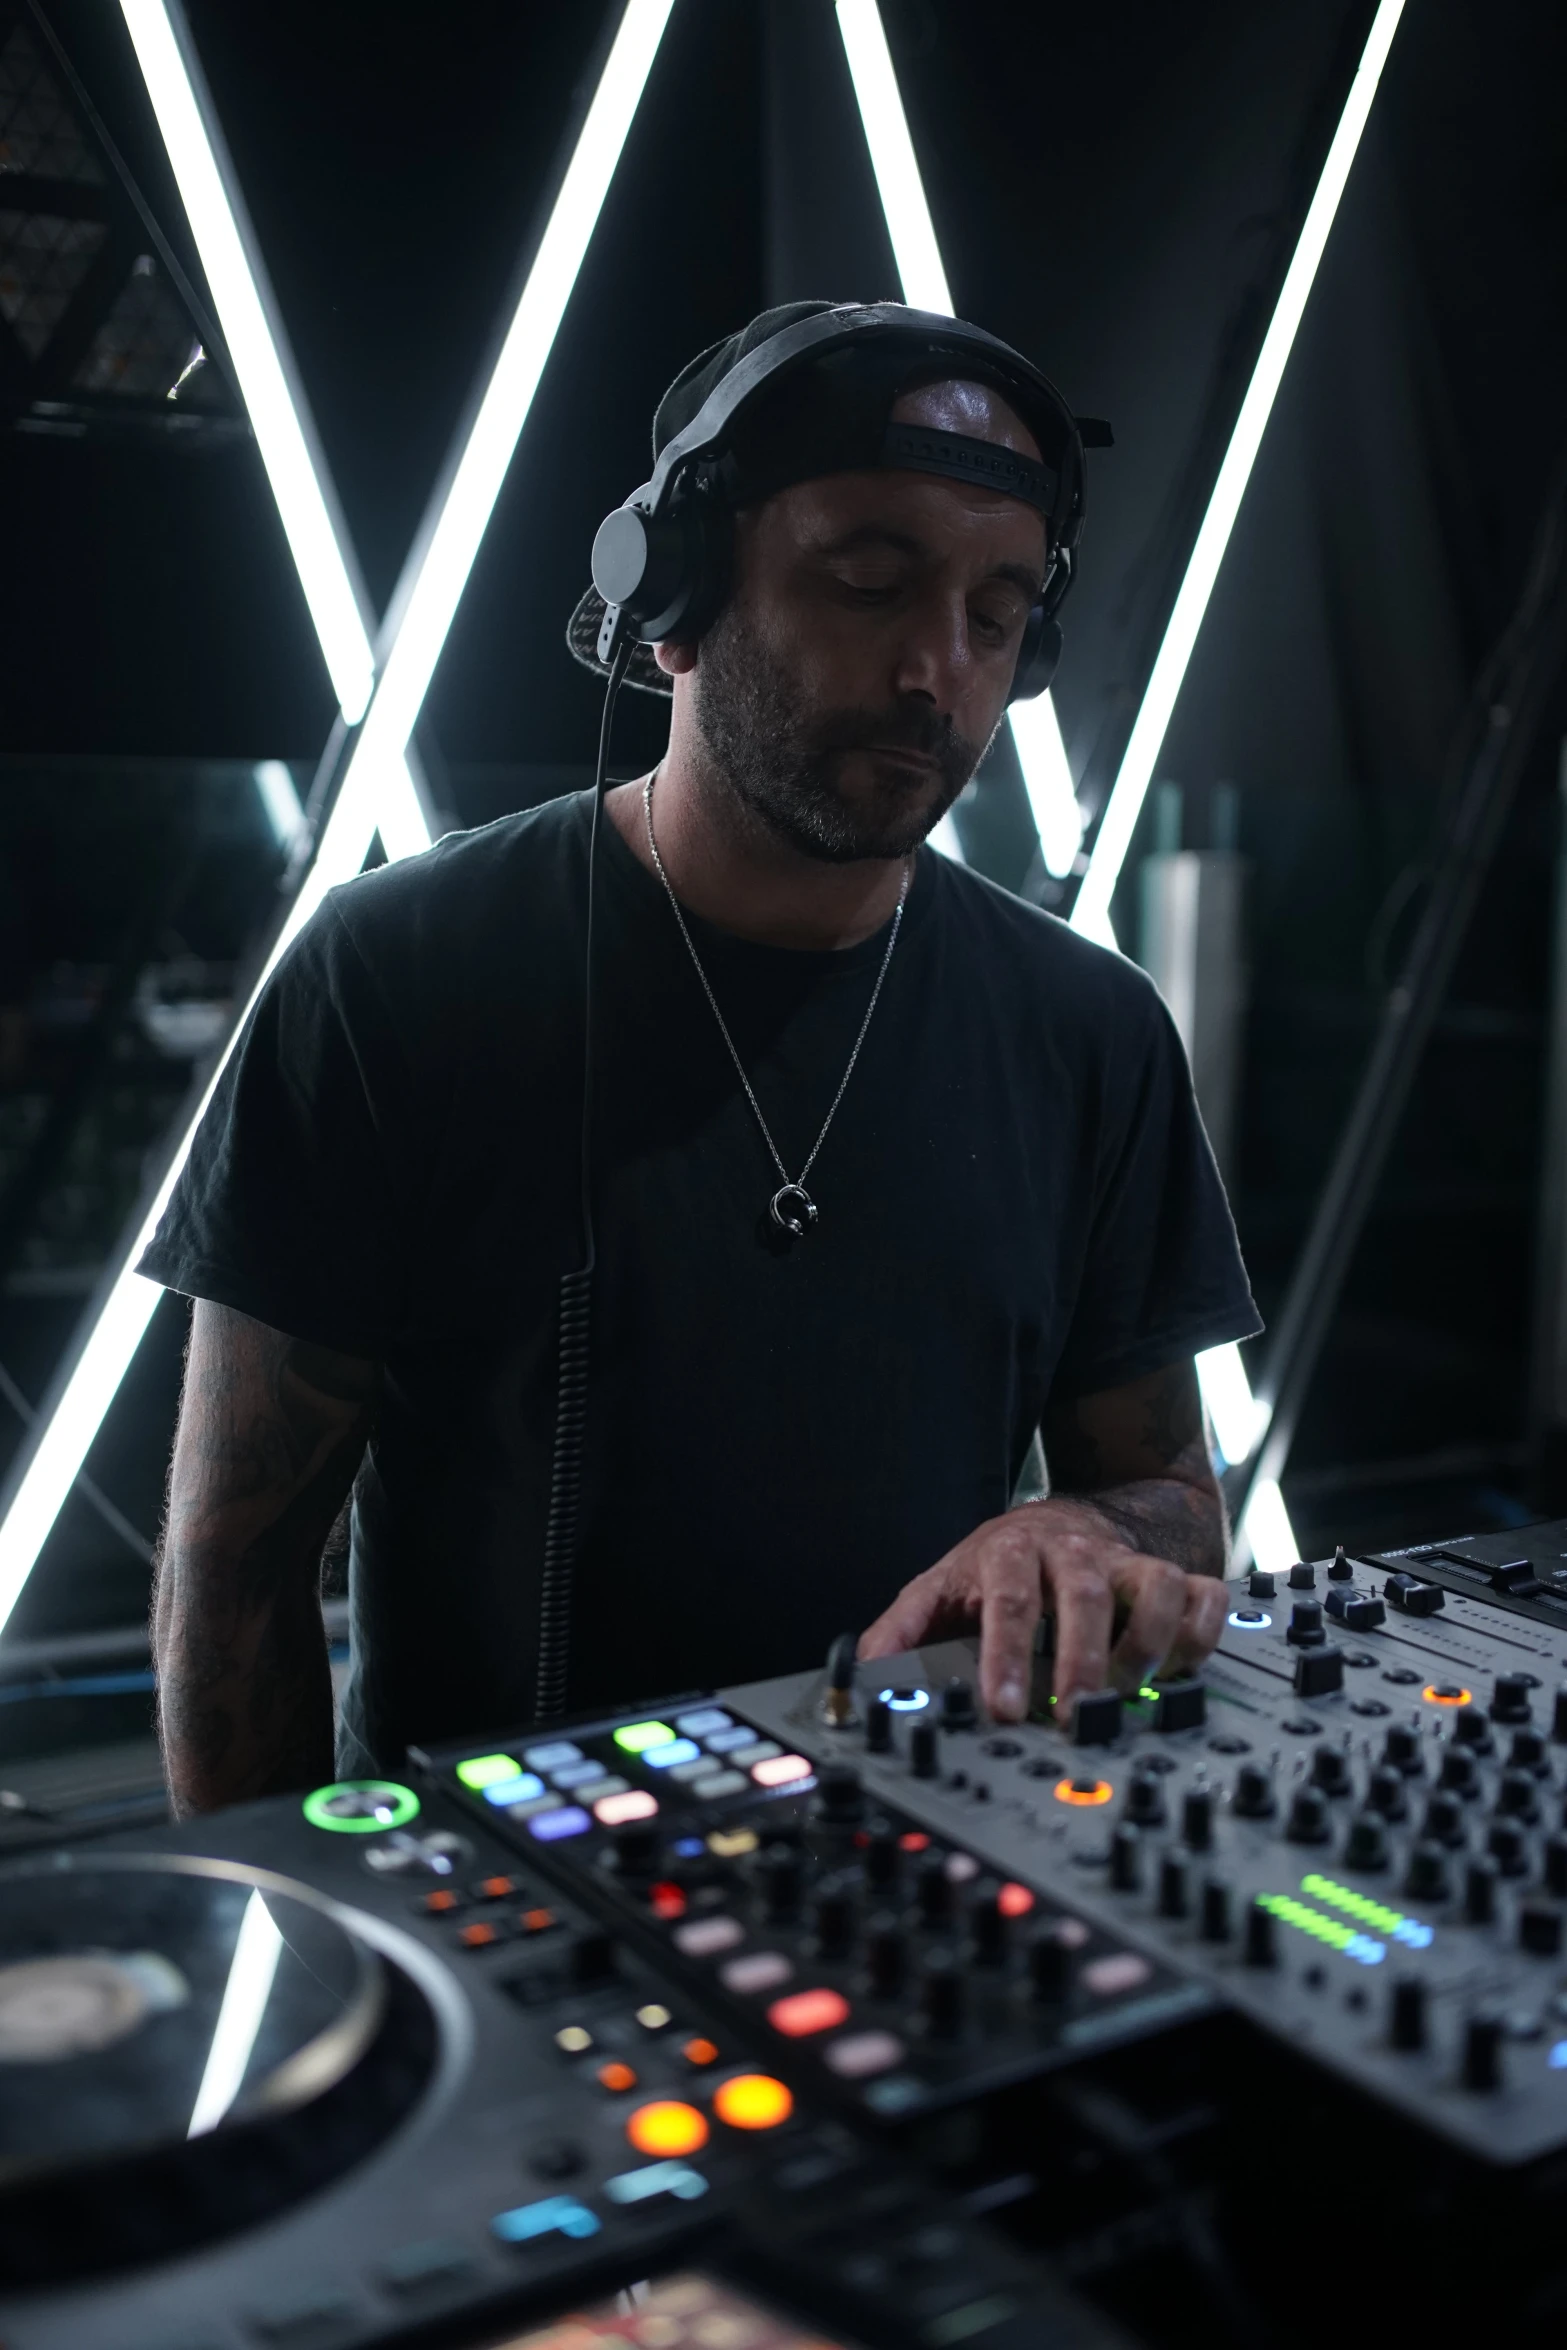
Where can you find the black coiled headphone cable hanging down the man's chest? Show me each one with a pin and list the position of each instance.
(563, 1529)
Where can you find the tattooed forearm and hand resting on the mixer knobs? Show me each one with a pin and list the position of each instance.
(1134, 1526)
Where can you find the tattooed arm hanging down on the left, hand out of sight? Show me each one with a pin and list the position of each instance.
(271, 1432)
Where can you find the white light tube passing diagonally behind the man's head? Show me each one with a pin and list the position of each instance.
(1037, 734)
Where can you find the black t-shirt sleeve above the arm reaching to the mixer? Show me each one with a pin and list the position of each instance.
(1162, 1270)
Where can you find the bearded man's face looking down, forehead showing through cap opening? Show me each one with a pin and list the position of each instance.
(868, 650)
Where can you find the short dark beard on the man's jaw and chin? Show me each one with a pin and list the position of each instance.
(786, 760)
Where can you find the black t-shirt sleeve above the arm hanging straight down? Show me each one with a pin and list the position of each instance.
(288, 1207)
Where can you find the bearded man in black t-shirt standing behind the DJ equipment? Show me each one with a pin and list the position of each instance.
(1011, 1221)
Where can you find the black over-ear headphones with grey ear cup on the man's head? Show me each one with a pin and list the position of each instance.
(664, 560)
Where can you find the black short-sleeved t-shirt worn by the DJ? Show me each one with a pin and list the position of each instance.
(1016, 1200)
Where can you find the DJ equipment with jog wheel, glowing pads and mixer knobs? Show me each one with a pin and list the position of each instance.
(828, 2013)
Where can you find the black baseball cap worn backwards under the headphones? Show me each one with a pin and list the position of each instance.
(833, 415)
